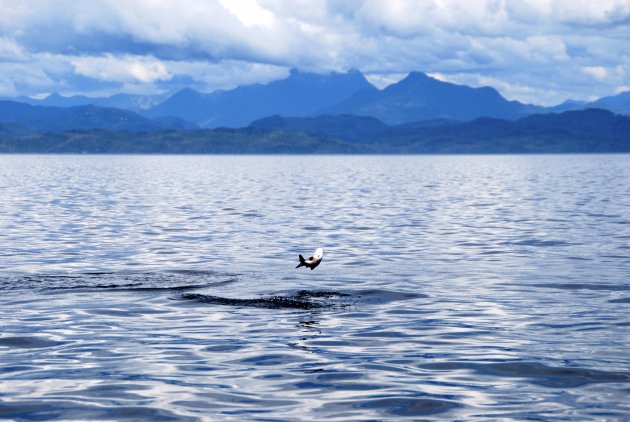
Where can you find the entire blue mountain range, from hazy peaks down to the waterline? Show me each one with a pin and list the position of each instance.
(338, 112)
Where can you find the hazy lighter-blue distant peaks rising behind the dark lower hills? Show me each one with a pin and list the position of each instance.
(418, 97)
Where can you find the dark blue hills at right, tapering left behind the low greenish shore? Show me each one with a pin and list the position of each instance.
(591, 130)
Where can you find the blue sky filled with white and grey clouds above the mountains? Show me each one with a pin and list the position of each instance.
(535, 51)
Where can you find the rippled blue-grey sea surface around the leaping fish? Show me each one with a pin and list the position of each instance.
(452, 287)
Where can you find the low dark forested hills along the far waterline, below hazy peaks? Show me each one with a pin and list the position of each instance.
(576, 132)
